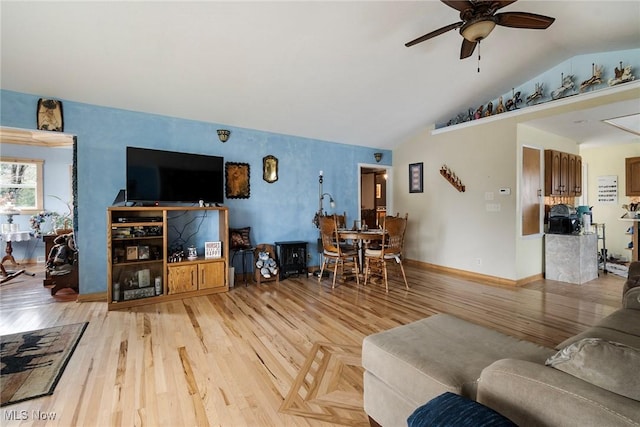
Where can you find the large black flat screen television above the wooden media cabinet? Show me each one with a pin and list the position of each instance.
(157, 176)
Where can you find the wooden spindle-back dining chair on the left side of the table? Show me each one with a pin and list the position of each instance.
(335, 253)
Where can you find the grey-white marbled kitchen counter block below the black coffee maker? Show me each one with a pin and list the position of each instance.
(571, 258)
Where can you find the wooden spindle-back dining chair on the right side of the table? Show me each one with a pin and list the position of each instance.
(389, 252)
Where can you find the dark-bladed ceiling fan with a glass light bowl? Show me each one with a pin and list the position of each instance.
(479, 18)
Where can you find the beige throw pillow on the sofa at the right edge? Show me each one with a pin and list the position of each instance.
(609, 365)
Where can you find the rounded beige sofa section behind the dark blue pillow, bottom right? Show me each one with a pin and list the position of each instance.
(532, 394)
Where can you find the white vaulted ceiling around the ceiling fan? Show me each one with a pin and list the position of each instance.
(328, 70)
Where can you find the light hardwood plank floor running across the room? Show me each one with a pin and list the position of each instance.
(230, 359)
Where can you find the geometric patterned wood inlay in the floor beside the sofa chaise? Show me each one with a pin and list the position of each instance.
(329, 386)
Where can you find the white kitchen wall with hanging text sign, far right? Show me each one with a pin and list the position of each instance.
(604, 161)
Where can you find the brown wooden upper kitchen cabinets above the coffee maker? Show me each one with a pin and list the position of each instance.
(563, 174)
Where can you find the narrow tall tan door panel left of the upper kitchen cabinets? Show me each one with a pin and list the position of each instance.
(531, 191)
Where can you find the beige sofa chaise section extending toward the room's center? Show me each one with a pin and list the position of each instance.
(441, 353)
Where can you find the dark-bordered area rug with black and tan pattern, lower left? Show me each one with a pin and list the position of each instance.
(32, 362)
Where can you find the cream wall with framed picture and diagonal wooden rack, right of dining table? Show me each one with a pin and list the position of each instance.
(455, 229)
